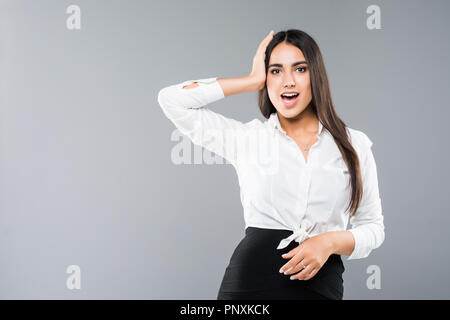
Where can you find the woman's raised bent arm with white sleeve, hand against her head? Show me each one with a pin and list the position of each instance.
(185, 105)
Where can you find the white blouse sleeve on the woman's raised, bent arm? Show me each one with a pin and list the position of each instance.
(185, 107)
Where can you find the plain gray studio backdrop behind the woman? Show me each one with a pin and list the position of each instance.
(86, 176)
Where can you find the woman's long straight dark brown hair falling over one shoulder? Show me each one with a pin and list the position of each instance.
(321, 104)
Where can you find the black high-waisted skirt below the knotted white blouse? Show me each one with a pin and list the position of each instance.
(253, 271)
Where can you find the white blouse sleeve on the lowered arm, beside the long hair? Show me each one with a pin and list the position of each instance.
(367, 223)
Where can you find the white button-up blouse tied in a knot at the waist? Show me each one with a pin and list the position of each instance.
(278, 188)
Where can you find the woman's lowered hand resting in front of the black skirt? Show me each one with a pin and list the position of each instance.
(312, 252)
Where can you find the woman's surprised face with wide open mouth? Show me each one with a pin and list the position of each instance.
(286, 74)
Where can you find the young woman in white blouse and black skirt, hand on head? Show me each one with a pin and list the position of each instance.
(316, 175)
